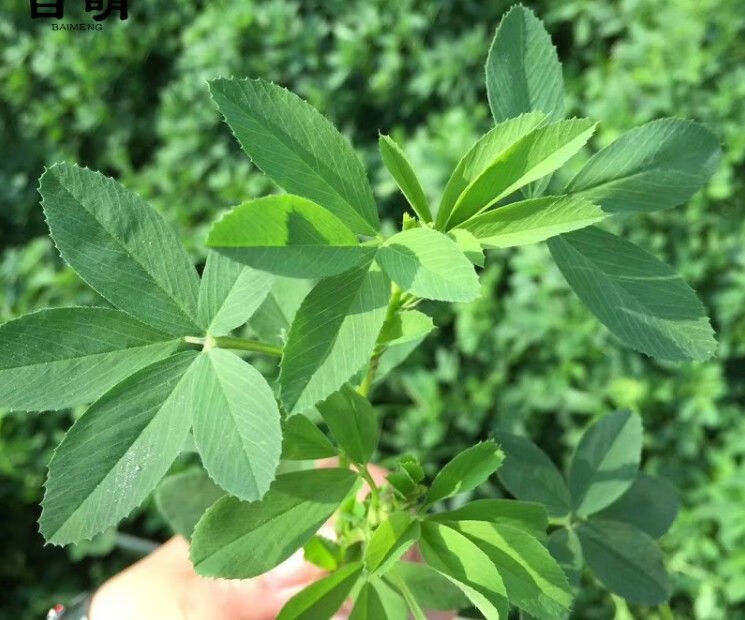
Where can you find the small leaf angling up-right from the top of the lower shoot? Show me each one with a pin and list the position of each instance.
(466, 471)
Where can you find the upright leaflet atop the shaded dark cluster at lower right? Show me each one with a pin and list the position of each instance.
(605, 462)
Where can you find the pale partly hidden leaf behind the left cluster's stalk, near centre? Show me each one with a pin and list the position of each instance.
(271, 322)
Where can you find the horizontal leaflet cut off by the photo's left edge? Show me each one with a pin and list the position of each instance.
(62, 357)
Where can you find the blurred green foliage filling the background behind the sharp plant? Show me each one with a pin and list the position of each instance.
(131, 101)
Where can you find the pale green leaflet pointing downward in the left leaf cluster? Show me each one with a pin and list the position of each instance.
(236, 424)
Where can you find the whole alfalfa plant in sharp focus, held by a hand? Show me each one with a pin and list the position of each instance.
(166, 372)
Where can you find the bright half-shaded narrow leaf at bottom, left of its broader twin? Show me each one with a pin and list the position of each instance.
(458, 558)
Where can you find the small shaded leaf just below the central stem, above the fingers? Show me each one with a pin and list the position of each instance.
(353, 423)
